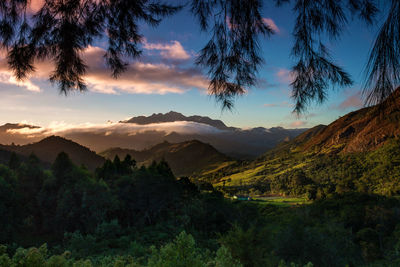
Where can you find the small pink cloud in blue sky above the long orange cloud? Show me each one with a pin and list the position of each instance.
(173, 50)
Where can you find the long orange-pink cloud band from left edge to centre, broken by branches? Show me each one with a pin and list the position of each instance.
(140, 77)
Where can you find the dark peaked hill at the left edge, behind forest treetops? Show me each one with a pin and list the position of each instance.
(48, 149)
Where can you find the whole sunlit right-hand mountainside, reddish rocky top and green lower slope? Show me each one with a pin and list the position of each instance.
(359, 151)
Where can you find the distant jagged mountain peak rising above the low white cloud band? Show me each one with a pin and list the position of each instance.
(173, 116)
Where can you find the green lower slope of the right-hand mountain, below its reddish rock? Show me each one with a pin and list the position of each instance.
(315, 174)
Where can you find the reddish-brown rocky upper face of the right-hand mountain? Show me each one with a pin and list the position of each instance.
(362, 130)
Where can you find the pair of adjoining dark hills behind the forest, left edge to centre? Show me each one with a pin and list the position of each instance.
(184, 158)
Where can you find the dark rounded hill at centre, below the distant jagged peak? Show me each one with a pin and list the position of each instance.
(184, 158)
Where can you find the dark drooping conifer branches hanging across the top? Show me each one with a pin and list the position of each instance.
(61, 29)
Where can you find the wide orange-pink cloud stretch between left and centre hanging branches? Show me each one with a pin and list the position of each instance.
(140, 77)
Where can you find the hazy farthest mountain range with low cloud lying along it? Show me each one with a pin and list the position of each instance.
(140, 133)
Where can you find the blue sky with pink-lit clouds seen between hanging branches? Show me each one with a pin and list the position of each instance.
(166, 79)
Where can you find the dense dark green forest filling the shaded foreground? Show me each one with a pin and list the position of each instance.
(123, 215)
